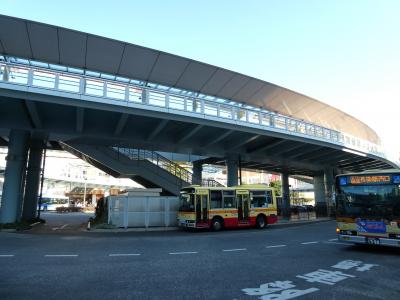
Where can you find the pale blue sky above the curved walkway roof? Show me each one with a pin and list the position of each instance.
(343, 52)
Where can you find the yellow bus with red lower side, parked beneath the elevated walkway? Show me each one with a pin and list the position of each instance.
(227, 207)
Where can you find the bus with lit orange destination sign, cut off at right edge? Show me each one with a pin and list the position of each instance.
(368, 207)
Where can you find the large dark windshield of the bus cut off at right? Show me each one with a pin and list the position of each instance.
(382, 201)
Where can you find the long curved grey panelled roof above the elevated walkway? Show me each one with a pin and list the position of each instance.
(53, 44)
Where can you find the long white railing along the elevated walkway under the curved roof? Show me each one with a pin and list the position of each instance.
(151, 97)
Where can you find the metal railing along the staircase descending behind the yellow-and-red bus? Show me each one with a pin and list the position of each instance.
(164, 163)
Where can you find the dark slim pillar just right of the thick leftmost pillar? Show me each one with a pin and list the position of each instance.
(32, 180)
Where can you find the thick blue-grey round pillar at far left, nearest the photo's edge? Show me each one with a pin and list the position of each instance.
(14, 176)
